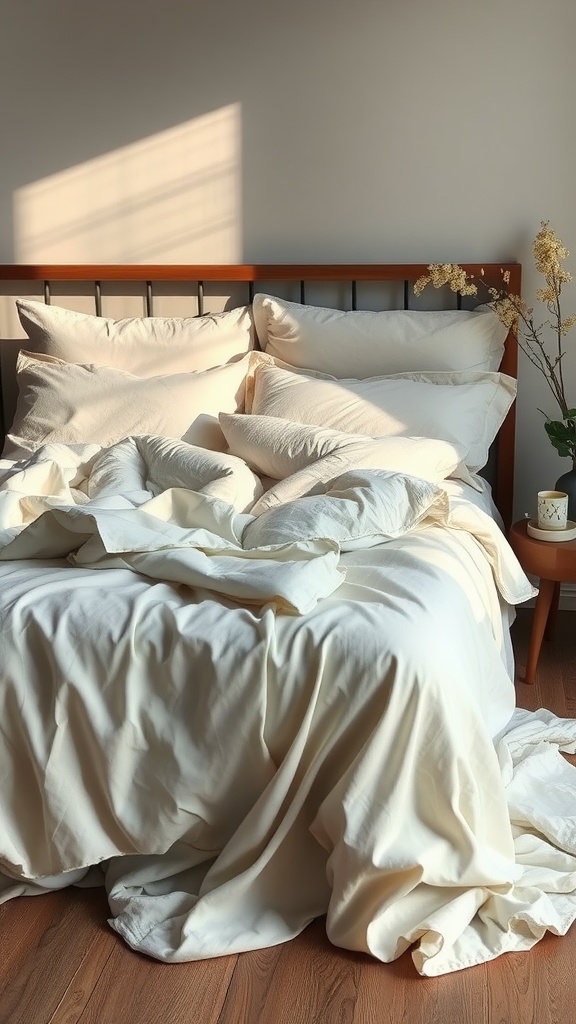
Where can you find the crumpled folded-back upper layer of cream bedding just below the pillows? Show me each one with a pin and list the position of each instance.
(59, 503)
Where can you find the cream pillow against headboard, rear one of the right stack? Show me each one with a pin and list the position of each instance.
(364, 345)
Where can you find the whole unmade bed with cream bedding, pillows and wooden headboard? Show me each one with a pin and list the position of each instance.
(256, 607)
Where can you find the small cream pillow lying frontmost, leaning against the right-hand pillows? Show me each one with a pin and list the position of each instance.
(277, 449)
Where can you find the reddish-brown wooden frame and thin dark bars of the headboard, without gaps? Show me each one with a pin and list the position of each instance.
(260, 278)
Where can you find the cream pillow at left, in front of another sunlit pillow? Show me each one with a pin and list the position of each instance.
(76, 403)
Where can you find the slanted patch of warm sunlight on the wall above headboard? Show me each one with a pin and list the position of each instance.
(172, 198)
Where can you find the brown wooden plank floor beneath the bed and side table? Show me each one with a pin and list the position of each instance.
(61, 964)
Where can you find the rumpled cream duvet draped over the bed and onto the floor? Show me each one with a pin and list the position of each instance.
(241, 722)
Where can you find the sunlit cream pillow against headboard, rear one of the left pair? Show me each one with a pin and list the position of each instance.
(146, 347)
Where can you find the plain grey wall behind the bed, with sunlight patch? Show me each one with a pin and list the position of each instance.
(311, 131)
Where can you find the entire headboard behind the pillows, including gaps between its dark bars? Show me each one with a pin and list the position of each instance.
(139, 290)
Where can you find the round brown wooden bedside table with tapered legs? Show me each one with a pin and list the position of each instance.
(554, 564)
